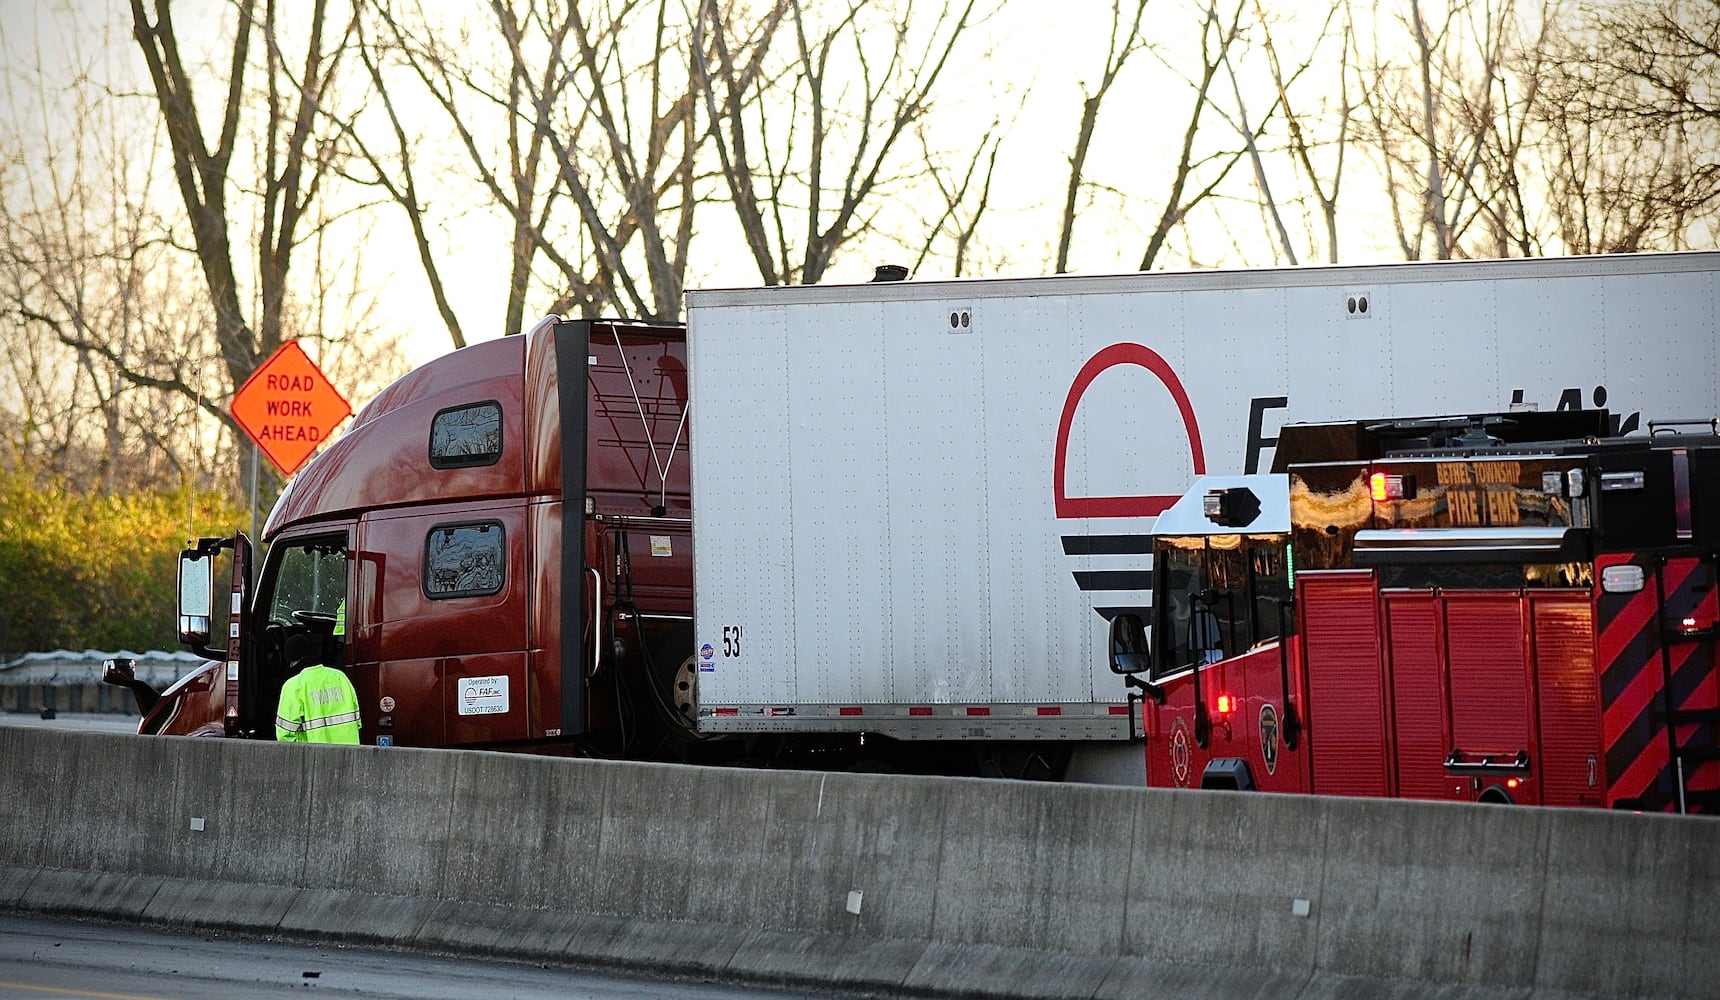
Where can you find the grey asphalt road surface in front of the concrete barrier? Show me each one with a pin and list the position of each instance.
(46, 960)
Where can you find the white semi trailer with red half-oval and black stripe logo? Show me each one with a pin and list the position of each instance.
(918, 505)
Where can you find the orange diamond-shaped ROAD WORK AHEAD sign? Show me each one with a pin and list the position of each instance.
(288, 407)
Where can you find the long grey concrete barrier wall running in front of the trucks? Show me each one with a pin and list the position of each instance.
(964, 886)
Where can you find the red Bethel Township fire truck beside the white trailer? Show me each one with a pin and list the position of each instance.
(1497, 608)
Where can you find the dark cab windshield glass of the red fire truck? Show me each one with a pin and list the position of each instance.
(1217, 596)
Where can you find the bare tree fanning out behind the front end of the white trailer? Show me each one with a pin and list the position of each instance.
(813, 109)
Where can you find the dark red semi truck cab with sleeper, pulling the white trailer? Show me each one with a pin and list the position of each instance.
(498, 553)
